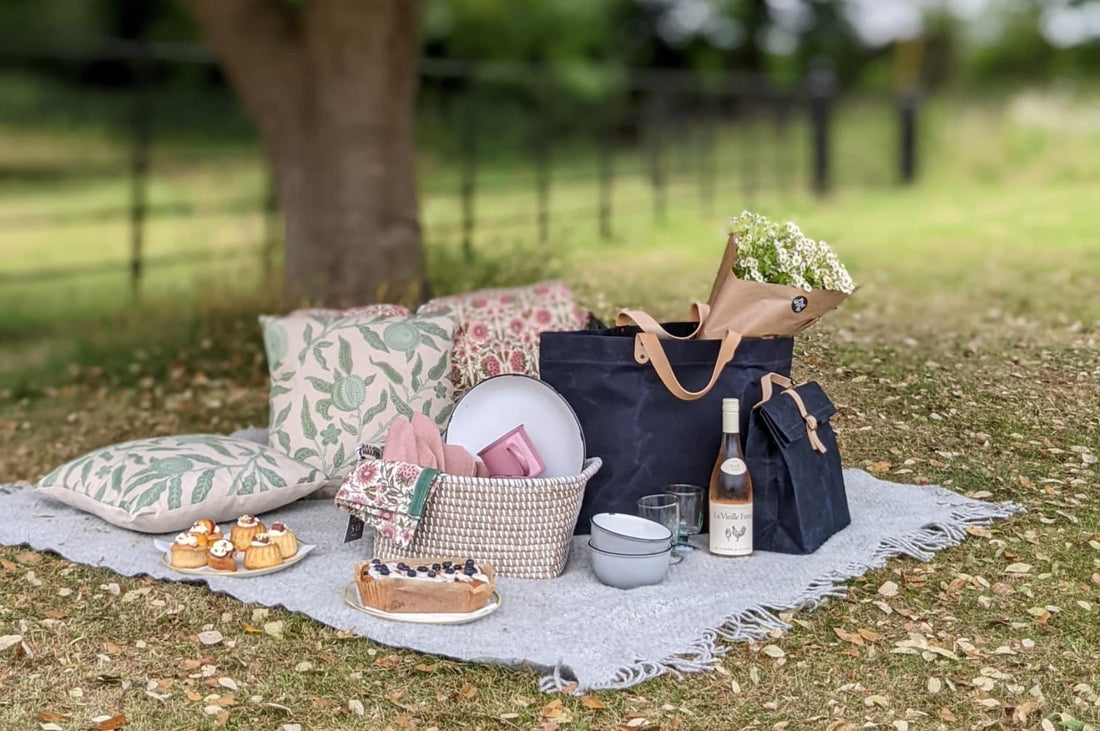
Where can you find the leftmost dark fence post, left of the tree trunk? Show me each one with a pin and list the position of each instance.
(141, 138)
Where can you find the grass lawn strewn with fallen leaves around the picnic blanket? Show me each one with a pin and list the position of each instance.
(971, 358)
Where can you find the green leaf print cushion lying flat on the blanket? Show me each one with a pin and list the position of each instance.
(166, 484)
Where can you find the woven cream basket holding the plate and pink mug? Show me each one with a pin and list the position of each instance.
(523, 527)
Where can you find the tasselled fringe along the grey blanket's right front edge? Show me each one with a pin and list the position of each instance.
(760, 622)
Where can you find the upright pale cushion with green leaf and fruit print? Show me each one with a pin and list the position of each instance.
(342, 378)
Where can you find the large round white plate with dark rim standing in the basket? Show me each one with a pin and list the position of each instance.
(497, 406)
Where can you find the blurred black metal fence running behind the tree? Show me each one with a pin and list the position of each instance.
(582, 145)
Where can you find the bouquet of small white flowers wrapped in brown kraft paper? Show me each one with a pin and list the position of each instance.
(774, 281)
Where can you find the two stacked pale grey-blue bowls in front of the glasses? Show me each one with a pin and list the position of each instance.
(628, 551)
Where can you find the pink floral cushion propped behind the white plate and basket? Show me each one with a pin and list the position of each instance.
(499, 329)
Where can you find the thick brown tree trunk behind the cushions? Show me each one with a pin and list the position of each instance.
(332, 86)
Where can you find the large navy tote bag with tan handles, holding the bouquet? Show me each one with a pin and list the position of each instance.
(651, 404)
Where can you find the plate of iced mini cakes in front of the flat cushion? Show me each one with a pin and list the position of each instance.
(250, 549)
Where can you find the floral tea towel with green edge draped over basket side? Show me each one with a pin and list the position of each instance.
(388, 496)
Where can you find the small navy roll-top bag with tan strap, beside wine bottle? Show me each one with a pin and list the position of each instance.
(799, 500)
